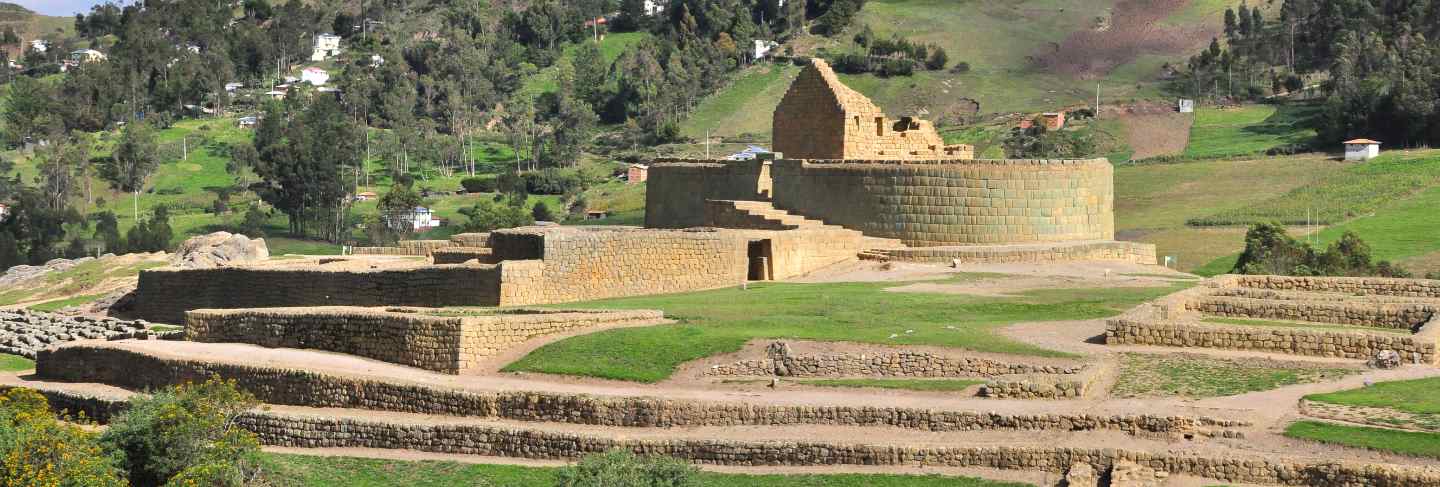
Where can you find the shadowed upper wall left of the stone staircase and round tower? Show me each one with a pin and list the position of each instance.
(678, 189)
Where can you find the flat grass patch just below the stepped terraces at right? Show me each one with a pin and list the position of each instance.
(1196, 377)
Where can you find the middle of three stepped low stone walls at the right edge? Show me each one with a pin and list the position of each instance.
(1366, 315)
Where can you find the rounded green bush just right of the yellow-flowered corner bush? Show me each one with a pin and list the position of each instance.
(186, 436)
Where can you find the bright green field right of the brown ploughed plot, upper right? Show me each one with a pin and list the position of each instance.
(1248, 130)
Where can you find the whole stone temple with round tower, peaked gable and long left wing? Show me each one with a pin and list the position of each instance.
(846, 184)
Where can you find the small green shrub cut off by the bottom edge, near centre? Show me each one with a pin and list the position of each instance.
(618, 468)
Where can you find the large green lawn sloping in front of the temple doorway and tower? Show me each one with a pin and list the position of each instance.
(724, 321)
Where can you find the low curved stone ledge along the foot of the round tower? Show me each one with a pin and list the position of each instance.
(1009, 254)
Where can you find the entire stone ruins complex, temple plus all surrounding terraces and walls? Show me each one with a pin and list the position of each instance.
(405, 348)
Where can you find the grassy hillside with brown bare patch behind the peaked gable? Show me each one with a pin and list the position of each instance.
(1025, 57)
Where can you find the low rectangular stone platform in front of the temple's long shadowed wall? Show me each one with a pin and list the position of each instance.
(413, 338)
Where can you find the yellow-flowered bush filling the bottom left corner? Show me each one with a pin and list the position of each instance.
(38, 450)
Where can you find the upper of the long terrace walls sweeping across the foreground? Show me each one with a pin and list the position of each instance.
(302, 388)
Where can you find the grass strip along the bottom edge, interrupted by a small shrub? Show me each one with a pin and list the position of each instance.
(316, 472)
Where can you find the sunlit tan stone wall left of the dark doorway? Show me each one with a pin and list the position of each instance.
(600, 263)
